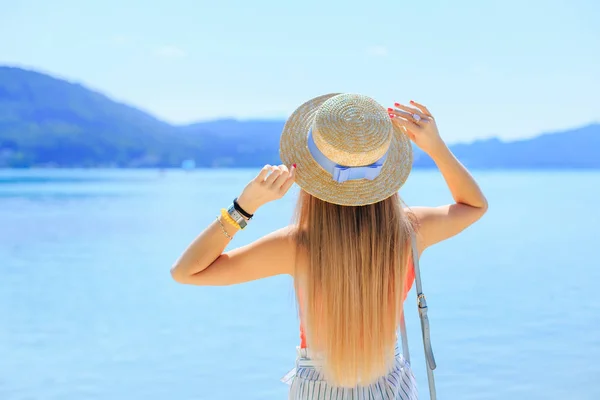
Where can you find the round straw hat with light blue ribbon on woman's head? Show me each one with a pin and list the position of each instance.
(346, 149)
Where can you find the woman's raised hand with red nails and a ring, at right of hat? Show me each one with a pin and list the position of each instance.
(421, 129)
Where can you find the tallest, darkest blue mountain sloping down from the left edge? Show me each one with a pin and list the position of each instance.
(47, 121)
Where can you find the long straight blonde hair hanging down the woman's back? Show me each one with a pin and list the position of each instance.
(350, 290)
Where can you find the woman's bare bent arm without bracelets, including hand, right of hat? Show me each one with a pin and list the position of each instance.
(440, 223)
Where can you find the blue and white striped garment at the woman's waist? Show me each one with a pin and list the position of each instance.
(307, 383)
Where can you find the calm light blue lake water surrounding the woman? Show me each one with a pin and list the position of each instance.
(88, 310)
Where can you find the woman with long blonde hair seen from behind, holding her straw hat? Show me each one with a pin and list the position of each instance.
(349, 247)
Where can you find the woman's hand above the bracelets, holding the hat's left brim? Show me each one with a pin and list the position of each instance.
(270, 184)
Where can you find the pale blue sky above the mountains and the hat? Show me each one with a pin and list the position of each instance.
(510, 69)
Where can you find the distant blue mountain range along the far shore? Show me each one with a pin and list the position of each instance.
(49, 122)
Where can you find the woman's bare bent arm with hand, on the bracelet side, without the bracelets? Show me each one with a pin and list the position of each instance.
(204, 263)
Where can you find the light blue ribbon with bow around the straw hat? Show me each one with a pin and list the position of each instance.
(342, 173)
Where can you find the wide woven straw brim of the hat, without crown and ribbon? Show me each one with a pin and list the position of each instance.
(312, 178)
